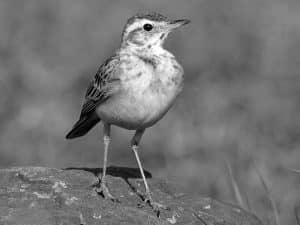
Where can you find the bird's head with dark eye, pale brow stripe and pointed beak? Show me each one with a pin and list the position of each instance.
(149, 30)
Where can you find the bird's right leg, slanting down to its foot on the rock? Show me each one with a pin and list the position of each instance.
(148, 197)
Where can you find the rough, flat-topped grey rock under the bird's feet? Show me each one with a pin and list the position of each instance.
(45, 196)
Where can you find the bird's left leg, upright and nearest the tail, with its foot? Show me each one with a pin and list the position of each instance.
(103, 190)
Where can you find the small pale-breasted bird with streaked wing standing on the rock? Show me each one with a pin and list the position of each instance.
(133, 89)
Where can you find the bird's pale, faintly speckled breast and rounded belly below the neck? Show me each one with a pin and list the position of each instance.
(146, 94)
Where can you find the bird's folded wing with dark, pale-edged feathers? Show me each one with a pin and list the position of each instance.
(105, 84)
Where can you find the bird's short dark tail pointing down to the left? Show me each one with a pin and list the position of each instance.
(83, 125)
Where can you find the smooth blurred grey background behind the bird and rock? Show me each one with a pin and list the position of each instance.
(239, 110)
